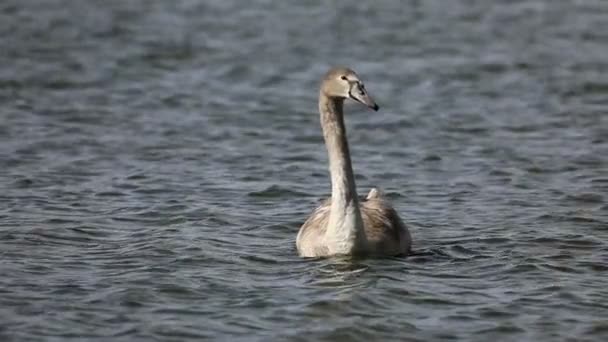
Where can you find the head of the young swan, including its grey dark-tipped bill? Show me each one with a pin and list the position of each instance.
(344, 83)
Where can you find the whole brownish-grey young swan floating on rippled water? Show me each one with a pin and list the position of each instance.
(343, 225)
